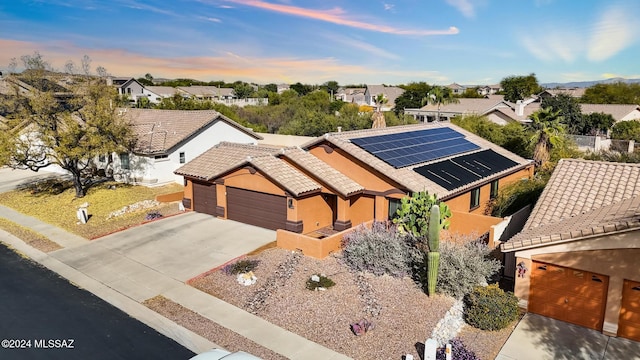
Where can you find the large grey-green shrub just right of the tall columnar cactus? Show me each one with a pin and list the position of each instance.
(464, 264)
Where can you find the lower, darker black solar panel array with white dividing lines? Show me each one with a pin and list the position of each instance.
(462, 170)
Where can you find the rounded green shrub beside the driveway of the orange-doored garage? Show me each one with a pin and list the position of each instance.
(490, 308)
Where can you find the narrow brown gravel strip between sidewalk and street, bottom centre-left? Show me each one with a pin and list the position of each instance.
(207, 328)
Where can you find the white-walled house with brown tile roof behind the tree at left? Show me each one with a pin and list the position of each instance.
(169, 138)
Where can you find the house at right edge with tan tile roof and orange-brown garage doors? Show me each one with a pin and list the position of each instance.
(577, 256)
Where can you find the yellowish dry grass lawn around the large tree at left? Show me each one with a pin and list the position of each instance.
(54, 202)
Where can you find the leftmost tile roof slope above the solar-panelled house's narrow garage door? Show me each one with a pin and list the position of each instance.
(220, 159)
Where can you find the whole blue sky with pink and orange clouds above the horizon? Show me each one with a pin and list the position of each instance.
(352, 42)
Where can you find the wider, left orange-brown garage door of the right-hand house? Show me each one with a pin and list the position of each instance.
(570, 295)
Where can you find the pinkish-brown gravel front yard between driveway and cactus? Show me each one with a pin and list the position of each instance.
(403, 315)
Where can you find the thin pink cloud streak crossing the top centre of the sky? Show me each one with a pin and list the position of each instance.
(337, 16)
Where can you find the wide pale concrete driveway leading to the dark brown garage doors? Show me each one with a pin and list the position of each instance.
(146, 260)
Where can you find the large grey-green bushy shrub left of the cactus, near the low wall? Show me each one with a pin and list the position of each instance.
(379, 250)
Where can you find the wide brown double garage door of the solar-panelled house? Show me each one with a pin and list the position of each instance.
(256, 208)
